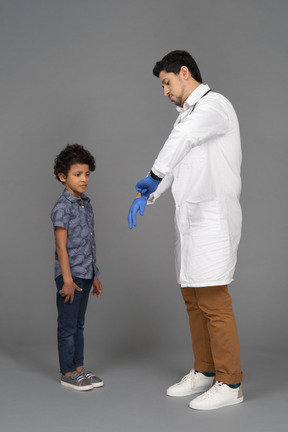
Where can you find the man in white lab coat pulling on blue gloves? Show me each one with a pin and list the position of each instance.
(201, 161)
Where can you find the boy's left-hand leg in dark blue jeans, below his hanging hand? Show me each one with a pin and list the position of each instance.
(67, 327)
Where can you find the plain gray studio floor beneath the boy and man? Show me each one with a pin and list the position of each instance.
(133, 397)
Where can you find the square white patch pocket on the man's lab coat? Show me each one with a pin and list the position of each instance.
(204, 217)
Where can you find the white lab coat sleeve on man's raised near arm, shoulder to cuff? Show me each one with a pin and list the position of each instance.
(208, 120)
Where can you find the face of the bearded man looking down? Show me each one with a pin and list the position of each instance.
(174, 87)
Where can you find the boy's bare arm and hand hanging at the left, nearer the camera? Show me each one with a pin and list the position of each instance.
(69, 285)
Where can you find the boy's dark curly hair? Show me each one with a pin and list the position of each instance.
(72, 154)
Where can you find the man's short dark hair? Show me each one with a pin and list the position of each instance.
(173, 61)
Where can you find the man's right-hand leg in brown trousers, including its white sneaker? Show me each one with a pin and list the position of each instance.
(216, 305)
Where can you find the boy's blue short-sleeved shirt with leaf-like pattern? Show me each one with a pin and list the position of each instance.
(78, 220)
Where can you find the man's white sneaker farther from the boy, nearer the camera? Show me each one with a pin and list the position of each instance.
(220, 395)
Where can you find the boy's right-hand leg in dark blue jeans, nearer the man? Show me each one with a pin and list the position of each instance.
(86, 285)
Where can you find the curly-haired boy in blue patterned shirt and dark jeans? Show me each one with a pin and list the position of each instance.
(75, 263)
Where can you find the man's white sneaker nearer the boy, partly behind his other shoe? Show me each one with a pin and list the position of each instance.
(194, 382)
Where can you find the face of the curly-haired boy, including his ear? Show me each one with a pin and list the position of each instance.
(77, 179)
